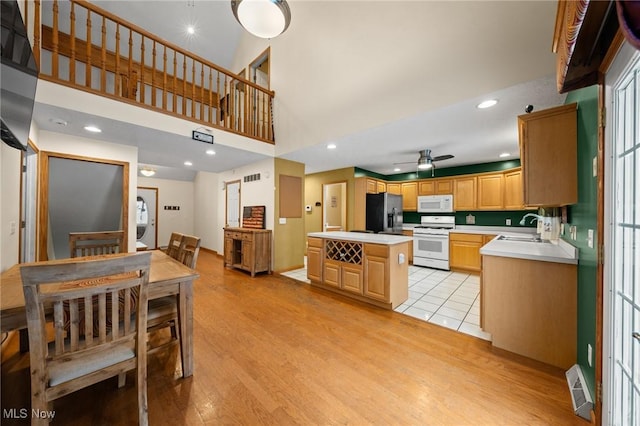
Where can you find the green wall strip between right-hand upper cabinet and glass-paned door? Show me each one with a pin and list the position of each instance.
(584, 216)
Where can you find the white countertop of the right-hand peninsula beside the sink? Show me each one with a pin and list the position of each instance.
(562, 252)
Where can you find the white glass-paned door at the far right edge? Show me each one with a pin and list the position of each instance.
(621, 340)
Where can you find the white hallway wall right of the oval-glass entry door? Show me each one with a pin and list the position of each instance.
(172, 193)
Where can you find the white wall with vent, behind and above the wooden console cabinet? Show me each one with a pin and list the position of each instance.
(257, 193)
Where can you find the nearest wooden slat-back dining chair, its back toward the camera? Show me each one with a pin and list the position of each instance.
(97, 332)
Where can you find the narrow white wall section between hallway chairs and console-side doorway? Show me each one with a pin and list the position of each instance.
(207, 197)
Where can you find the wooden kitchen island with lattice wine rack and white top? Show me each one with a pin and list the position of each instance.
(372, 268)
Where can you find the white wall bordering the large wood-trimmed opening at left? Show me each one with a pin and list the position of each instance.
(65, 144)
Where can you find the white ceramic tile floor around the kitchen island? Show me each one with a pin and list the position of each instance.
(449, 299)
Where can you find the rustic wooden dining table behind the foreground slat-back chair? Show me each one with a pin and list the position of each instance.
(167, 276)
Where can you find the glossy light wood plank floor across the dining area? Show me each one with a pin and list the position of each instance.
(270, 350)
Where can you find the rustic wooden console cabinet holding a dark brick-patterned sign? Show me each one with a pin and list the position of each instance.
(248, 249)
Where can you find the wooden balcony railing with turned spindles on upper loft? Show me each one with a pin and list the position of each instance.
(77, 44)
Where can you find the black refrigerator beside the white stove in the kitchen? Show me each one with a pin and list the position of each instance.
(384, 213)
